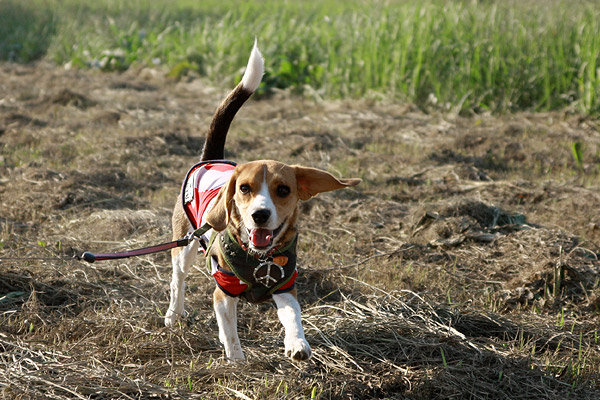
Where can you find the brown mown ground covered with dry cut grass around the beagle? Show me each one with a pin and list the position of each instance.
(464, 266)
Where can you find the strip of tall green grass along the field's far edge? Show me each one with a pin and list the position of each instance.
(461, 55)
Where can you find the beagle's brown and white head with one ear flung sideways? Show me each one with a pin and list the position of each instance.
(261, 200)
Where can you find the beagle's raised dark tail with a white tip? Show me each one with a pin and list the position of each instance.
(214, 146)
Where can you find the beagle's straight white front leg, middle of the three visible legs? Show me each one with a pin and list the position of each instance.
(226, 311)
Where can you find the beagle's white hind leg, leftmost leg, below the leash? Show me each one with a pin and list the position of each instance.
(182, 259)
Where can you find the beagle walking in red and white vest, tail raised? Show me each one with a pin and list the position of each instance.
(249, 214)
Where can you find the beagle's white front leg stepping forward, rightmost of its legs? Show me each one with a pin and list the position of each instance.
(288, 310)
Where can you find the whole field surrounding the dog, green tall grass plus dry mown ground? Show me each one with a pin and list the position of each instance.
(464, 266)
